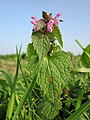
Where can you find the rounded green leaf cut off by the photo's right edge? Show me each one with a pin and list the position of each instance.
(85, 58)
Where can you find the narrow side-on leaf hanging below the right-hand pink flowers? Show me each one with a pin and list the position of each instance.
(58, 35)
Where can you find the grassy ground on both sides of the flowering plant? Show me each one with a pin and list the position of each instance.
(77, 100)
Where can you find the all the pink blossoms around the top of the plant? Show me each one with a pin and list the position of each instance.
(50, 24)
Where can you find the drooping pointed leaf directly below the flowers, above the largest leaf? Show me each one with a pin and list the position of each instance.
(41, 44)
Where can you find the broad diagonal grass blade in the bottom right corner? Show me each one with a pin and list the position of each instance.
(79, 111)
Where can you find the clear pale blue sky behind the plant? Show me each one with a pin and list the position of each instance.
(16, 27)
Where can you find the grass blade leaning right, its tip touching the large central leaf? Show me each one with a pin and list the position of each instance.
(23, 99)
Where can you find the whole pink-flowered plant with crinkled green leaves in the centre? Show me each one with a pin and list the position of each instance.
(49, 63)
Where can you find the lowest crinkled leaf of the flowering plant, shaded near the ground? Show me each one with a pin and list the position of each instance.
(47, 110)
